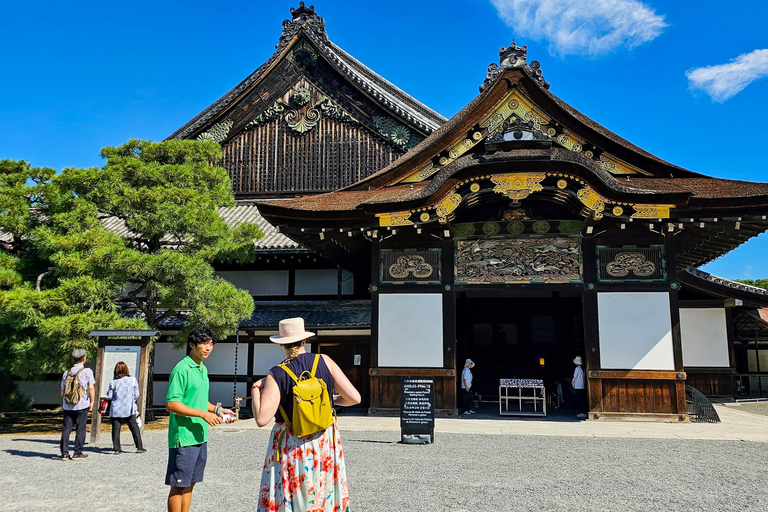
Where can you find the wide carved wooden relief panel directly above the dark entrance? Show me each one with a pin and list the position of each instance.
(518, 260)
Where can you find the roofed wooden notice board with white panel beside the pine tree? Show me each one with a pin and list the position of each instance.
(131, 347)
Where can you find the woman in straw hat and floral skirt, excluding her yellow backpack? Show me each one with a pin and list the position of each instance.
(301, 473)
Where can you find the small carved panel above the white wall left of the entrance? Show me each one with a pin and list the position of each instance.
(410, 266)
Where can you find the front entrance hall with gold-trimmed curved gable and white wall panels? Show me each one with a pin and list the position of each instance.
(522, 233)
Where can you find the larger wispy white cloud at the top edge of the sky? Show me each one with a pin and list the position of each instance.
(591, 27)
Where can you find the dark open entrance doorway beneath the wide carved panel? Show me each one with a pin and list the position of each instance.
(522, 338)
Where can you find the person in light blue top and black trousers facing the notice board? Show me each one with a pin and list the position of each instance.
(123, 392)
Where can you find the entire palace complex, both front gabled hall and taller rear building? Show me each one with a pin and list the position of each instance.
(519, 233)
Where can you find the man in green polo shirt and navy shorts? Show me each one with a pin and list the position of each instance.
(191, 413)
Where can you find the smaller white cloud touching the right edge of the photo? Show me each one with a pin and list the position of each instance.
(725, 80)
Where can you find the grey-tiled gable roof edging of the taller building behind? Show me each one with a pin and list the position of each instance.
(305, 23)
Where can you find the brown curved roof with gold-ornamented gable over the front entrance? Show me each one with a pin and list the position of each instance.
(516, 139)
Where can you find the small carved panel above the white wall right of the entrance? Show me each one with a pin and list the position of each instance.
(631, 264)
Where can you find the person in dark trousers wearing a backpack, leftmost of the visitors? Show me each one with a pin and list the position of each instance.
(78, 387)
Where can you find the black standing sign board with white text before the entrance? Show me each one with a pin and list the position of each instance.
(417, 407)
